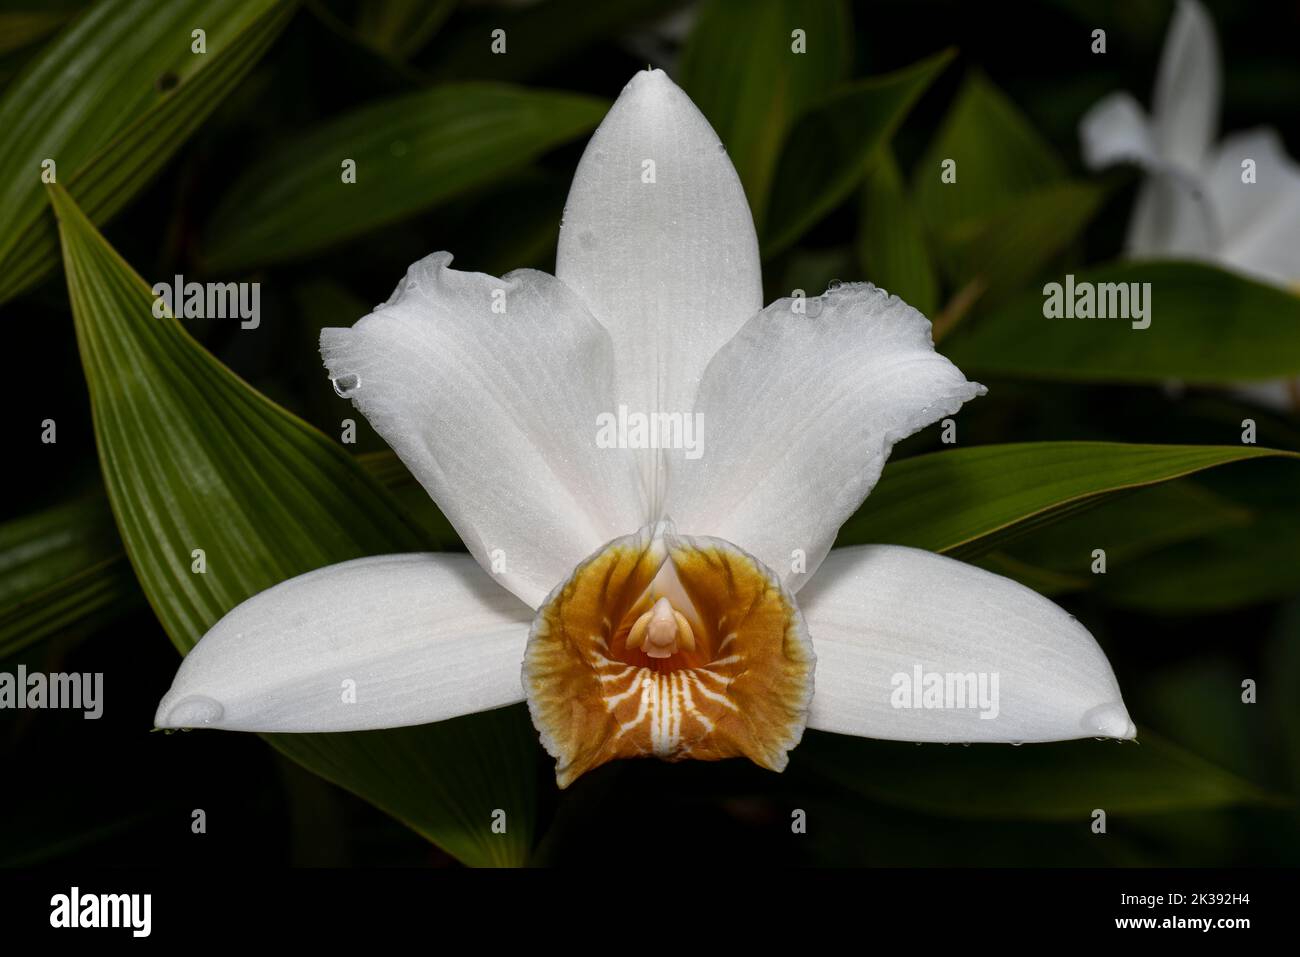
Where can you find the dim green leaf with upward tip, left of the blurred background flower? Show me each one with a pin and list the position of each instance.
(999, 159)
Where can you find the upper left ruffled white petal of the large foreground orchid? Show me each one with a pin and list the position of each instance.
(489, 391)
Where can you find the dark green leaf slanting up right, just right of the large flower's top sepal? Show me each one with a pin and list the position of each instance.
(834, 145)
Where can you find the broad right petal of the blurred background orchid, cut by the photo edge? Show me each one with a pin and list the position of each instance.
(1260, 220)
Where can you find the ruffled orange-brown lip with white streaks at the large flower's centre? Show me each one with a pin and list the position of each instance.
(669, 647)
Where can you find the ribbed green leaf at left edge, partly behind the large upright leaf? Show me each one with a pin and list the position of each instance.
(60, 569)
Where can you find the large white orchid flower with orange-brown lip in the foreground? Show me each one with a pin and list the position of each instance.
(648, 594)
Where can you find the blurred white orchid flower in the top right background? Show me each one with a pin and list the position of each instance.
(1197, 201)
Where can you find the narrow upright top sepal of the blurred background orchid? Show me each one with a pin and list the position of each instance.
(1185, 107)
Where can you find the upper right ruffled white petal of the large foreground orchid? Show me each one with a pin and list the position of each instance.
(800, 412)
